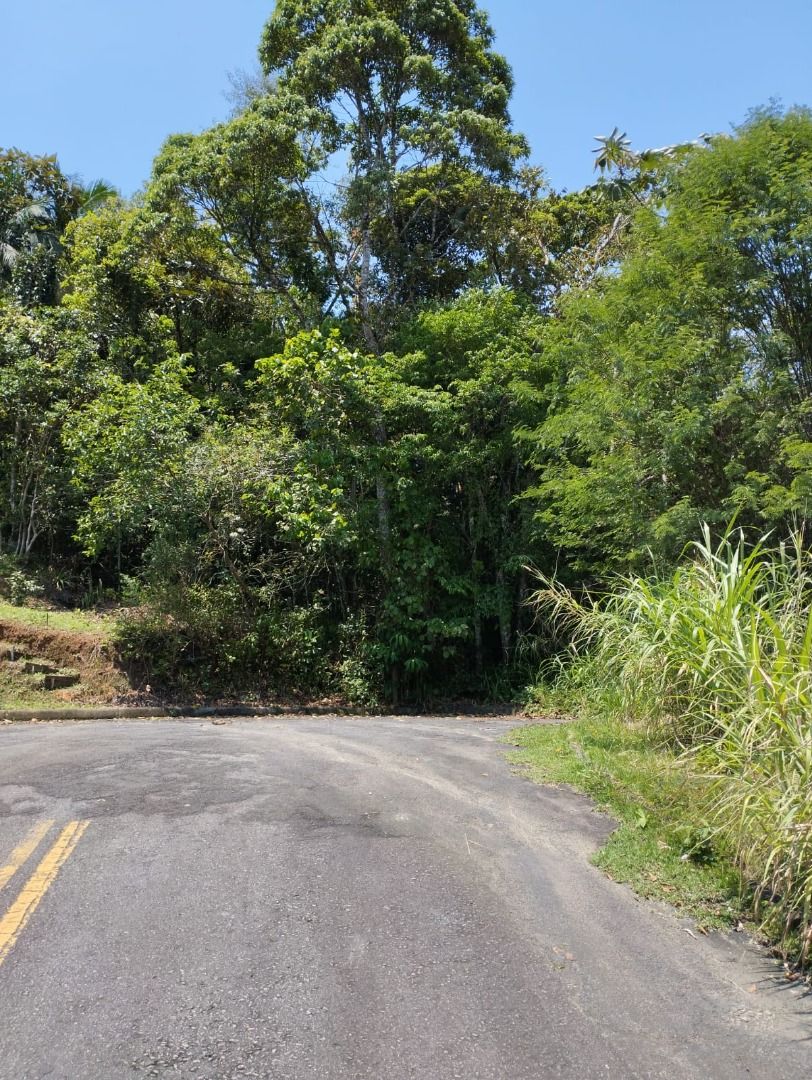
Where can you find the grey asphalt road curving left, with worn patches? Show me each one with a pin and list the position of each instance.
(344, 899)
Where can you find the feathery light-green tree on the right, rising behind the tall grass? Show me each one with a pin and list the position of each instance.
(681, 383)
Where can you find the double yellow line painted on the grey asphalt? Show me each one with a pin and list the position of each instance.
(13, 923)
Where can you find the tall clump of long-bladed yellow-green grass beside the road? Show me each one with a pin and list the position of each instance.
(715, 660)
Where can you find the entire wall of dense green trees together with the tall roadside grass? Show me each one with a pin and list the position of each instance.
(317, 406)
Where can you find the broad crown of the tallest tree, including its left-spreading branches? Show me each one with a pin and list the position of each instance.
(361, 181)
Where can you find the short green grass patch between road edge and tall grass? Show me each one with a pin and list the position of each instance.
(659, 848)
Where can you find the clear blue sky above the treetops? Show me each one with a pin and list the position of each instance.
(103, 83)
